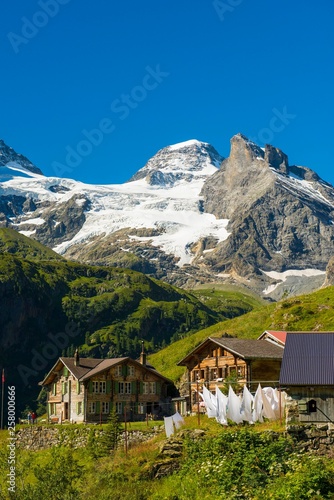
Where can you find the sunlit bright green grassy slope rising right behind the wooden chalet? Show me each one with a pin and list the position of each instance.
(314, 311)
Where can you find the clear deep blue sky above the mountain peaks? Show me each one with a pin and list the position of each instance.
(92, 90)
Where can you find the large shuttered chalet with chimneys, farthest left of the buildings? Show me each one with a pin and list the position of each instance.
(87, 389)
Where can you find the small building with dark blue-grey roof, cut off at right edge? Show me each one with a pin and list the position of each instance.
(307, 374)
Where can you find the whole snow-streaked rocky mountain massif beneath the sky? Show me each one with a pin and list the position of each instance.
(189, 216)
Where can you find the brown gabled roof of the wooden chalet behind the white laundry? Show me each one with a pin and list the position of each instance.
(243, 348)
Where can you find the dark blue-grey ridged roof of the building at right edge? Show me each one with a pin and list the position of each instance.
(308, 359)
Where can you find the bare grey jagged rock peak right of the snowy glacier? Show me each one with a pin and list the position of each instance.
(280, 216)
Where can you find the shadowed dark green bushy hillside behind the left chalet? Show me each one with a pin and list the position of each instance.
(50, 306)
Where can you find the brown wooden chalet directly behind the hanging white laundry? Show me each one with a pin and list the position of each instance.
(216, 359)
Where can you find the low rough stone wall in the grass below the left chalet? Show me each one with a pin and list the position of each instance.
(37, 437)
